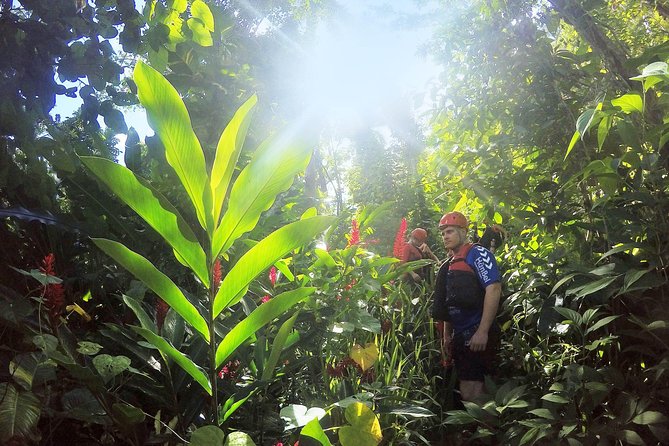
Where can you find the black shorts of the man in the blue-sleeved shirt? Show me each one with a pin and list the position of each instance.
(474, 366)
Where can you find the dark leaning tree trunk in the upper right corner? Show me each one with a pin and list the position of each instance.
(612, 53)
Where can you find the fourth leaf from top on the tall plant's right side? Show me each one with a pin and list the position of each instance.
(260, 317)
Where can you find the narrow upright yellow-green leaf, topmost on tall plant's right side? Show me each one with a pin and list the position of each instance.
(227, 153)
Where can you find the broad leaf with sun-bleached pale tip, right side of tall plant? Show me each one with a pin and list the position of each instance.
(271, 172)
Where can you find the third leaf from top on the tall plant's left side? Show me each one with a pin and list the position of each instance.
(158, 282)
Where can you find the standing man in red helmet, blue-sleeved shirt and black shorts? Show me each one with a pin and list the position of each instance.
(466, 299)
